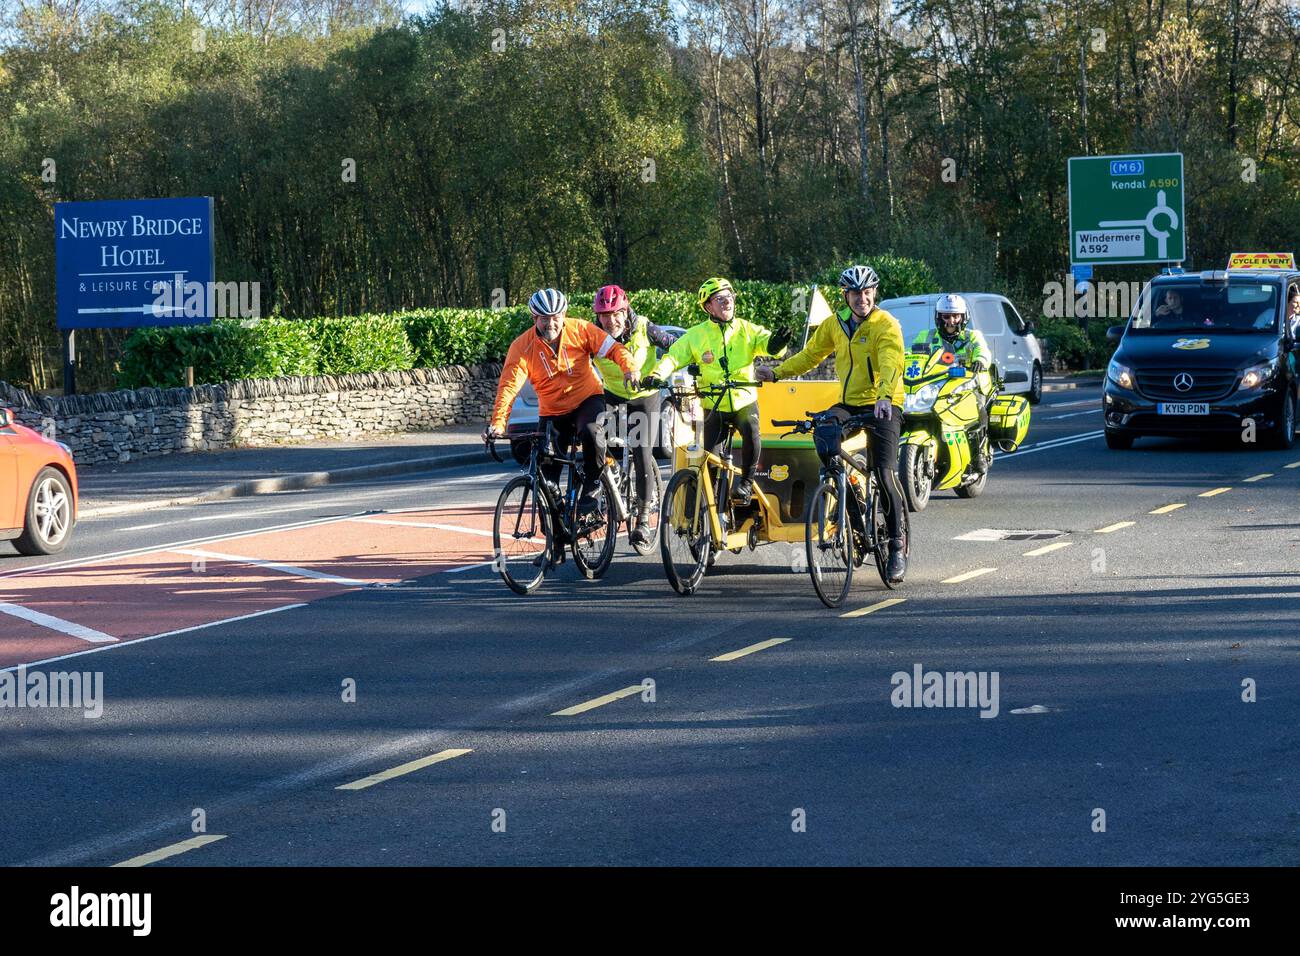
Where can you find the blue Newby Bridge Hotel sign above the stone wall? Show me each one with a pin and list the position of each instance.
(112, 259)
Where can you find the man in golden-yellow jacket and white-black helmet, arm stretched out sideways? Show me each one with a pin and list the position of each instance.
(868, 345)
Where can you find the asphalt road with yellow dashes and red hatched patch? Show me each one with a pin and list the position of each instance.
(1128, 646)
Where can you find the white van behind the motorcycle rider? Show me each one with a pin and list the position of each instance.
(1016, 351)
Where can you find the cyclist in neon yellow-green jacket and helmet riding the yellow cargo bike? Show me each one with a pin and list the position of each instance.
(726, 348)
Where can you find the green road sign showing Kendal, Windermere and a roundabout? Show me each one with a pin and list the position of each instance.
(1128, 209)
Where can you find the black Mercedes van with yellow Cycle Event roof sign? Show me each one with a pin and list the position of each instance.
(1210, 353)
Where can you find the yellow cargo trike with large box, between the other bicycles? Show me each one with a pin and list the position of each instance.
(699, 518)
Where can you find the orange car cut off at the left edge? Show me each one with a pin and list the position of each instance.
(38, 490)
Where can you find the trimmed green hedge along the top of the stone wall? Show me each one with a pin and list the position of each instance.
(231, 349)
